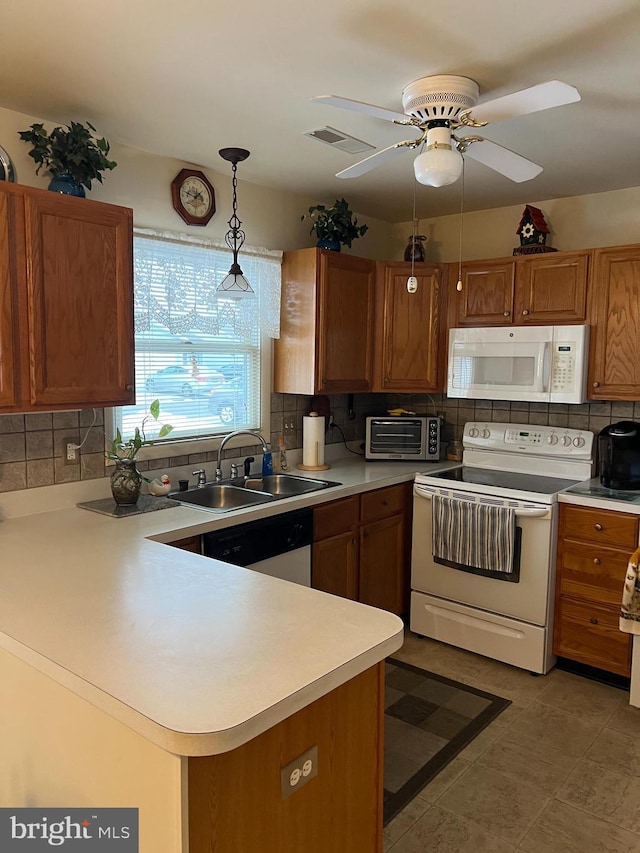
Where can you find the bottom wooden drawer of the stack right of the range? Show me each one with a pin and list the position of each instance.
(590, 634)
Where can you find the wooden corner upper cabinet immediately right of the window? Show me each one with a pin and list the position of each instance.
(327, 323)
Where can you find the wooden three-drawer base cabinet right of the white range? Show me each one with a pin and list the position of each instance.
(594, 546)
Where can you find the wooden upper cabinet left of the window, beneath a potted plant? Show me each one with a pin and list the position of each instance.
(66, 291)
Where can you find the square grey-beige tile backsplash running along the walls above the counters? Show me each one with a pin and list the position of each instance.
(32, 446)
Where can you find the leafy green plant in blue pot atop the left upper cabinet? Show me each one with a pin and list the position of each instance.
(71, 155)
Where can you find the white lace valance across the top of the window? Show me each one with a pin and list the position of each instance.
(175, 285)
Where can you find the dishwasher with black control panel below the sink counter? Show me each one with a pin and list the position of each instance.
(278, 546)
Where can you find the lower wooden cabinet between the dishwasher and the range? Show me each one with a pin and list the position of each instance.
(361, 548)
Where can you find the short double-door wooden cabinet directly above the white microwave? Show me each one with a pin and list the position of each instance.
(529, 290)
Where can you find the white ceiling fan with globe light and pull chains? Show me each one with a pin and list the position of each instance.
(436, 107)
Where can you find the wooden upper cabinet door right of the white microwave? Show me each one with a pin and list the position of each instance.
(614, 295)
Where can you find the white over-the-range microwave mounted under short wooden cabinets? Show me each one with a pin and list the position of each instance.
(546, 364)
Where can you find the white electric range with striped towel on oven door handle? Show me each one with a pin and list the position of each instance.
(505, 613)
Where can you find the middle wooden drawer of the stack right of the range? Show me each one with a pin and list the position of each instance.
(592, 571)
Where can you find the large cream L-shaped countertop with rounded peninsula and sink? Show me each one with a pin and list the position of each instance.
(196, 655)
